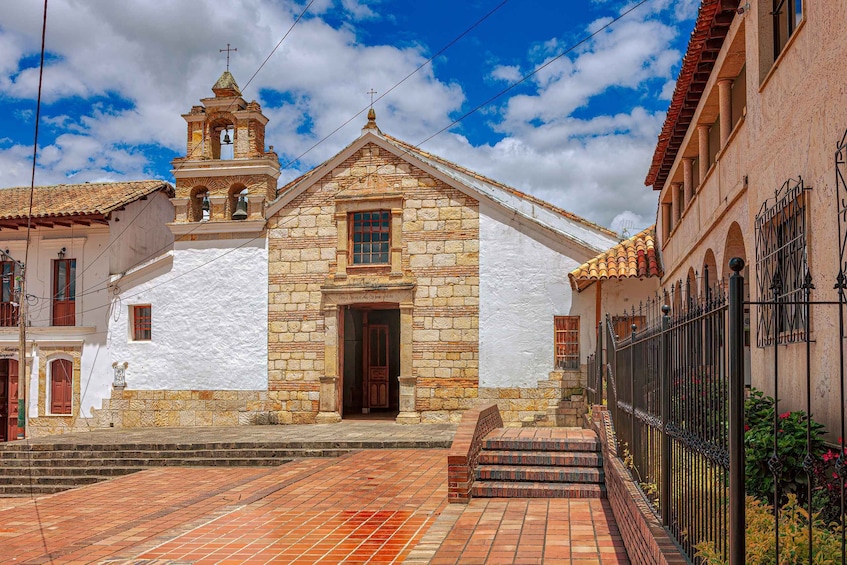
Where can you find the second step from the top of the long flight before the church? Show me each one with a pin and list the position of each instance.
(96, 456)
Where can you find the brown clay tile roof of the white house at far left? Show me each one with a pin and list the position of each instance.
(79, 203)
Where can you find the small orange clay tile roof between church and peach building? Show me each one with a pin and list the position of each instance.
(633, 257)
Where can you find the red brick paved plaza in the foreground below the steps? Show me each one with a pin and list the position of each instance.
(375, 506)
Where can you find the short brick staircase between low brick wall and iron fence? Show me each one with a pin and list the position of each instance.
(540, 463)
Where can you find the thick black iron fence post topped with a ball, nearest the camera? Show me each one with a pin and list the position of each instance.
(736, 414)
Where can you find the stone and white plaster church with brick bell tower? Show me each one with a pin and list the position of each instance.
(385, 282)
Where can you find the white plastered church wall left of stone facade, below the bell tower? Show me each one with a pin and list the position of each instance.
(209, 319)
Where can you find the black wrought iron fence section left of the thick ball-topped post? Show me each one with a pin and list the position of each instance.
(667, 393)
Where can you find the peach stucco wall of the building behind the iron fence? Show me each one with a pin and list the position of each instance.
(788, 131)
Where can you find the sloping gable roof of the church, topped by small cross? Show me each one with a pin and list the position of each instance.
(587, 235)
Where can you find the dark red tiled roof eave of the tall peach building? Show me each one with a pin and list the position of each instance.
(713, 21)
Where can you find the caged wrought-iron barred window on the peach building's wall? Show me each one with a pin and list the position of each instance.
(781, 266)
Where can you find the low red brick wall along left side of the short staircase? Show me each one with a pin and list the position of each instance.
(461, 460)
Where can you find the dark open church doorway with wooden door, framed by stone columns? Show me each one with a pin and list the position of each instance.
(370, 361)
